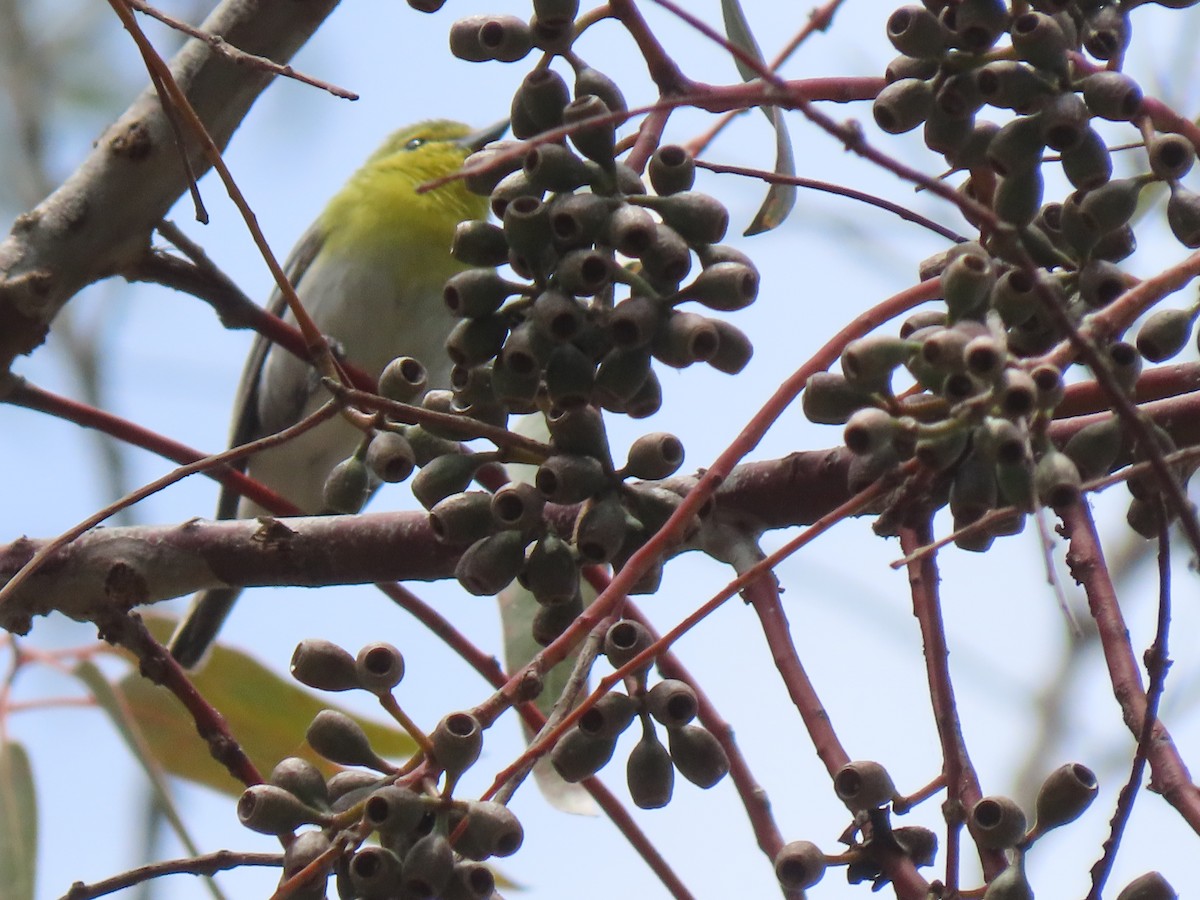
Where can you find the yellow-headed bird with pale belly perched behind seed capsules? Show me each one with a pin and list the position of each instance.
(370, 272)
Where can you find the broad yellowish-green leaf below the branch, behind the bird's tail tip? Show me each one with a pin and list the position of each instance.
(266, 712)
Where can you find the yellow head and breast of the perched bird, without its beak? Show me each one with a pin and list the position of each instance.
(381, 212)
